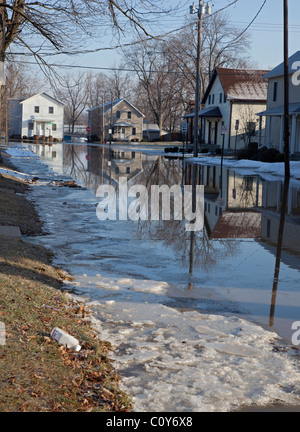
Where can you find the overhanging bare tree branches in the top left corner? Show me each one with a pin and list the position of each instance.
(64, 25)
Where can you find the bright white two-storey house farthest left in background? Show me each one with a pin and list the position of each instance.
(39, 115)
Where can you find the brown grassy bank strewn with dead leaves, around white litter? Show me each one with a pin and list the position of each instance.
(36, 373)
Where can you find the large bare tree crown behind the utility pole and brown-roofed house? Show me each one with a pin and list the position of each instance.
(167, 69)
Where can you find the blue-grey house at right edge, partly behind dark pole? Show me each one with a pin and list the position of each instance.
(274, 114)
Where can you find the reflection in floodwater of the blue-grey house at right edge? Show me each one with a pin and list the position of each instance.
(270, 211)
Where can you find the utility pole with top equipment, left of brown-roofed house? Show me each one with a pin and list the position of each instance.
(201, 11)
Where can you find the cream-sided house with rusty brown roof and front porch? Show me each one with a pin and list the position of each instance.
(229, 107)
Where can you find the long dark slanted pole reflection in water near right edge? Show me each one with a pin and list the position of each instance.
(279, 248)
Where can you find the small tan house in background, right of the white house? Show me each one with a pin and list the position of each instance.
(121, 117)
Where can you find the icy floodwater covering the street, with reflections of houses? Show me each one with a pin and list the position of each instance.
(200, 321)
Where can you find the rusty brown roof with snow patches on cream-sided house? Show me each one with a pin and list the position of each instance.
(240, 84)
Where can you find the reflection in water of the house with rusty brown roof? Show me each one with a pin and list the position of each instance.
(230, 203)
